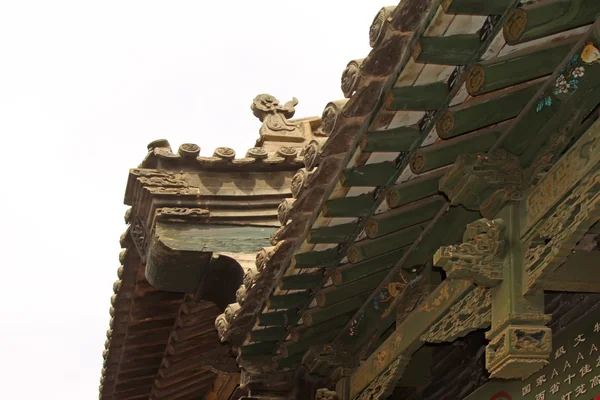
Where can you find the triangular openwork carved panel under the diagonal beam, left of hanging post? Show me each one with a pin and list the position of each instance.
(474, 311)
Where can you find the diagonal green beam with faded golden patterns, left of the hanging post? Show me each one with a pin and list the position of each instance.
(405, 340)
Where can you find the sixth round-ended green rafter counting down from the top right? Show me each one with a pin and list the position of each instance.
(403, 217)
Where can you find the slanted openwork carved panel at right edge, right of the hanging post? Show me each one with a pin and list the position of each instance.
(550, 242)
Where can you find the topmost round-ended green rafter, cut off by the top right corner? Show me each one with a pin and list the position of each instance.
(546, 18)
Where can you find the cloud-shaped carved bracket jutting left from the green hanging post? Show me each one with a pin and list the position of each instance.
(480, 256)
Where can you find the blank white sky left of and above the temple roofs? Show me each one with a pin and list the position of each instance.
(84, 86)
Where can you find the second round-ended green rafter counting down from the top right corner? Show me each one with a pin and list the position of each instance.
(518, 67)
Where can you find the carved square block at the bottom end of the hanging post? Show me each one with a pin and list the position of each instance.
(518, 351)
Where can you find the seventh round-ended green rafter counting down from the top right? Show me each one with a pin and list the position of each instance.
(368, 248)
